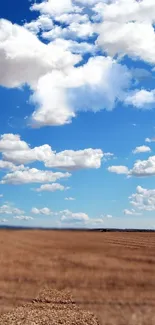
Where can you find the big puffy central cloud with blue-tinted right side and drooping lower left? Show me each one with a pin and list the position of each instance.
(59, 96)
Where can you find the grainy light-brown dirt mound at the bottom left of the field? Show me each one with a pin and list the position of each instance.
(51, 307)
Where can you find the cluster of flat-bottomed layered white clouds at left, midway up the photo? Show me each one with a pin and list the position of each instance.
(16, 153)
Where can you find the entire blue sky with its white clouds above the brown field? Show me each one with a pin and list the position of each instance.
(77, 113)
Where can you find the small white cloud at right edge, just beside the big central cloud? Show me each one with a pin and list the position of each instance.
(141, 98)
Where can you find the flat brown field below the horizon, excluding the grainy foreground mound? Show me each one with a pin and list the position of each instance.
(110, 274)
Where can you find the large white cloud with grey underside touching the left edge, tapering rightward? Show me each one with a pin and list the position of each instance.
(24, 58)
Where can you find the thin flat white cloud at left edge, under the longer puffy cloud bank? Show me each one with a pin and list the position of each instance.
(32, 175)
